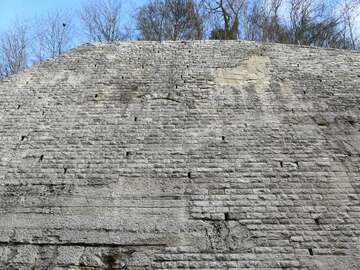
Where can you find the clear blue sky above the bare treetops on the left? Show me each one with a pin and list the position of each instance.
(10, 10)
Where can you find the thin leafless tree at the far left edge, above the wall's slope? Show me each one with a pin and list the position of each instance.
(13, 50)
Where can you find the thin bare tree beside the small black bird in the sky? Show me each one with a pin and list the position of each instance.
(53, 35)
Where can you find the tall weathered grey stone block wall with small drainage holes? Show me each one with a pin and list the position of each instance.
(182, 155)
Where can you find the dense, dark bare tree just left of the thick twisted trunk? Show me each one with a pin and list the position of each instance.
(170, 20)
